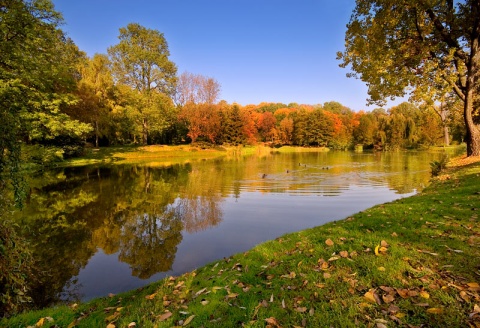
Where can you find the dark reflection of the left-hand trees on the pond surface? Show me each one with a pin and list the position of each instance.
(137, 212)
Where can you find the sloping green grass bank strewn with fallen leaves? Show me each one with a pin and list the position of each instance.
(413, 262)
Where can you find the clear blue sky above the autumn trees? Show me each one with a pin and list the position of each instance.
(258, 50)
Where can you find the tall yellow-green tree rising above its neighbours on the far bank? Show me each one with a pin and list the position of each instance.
(140, 61)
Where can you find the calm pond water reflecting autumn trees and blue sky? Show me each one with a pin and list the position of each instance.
(109, 229)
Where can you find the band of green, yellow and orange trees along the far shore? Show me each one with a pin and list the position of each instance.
(57, 100)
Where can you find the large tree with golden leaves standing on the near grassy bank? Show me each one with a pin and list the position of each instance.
(429, 47)
